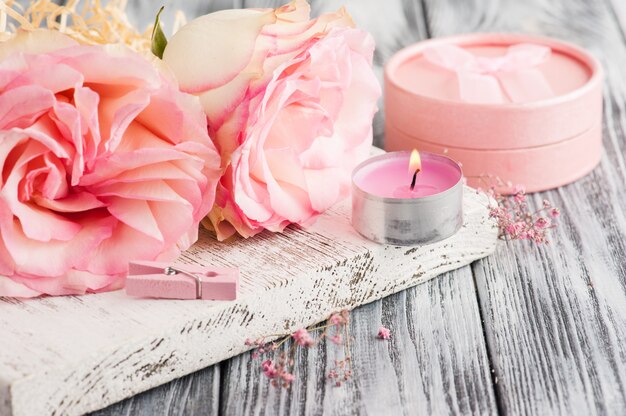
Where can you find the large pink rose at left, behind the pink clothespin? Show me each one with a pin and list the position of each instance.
(103, 161)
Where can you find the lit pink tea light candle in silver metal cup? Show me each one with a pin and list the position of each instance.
(402, 200)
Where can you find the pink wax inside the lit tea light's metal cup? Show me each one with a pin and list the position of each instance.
(390, 177)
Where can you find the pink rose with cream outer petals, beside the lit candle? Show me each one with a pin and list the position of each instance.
(289, 102)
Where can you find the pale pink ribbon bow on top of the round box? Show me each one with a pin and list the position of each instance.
(484, 80)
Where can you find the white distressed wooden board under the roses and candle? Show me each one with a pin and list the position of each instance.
(65, 356)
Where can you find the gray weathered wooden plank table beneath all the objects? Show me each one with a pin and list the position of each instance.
(530, 330)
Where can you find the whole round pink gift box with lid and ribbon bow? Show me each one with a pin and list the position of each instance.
(522, 108)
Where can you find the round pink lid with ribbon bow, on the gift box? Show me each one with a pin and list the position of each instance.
(493, 91)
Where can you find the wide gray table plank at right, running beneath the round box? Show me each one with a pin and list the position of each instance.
(555, 316)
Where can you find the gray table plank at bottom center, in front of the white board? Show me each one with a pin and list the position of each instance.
(435, 363)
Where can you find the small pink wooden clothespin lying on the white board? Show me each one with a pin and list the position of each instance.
(148, 279)
